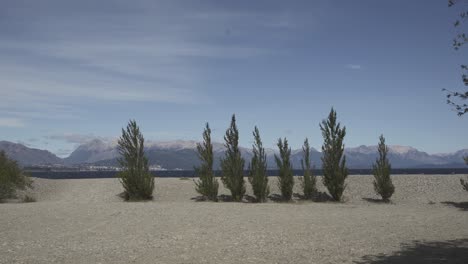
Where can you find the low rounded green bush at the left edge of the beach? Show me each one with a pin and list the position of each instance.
(12, 177)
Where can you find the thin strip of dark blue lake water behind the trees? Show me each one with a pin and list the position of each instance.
(191, 174)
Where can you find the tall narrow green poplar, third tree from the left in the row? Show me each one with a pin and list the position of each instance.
(232, 164)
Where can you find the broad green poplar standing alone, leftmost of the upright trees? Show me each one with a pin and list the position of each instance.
(137, 181)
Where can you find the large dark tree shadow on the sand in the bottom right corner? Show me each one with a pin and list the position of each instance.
(418, 252)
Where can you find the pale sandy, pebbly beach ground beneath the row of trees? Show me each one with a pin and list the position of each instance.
(84, 221)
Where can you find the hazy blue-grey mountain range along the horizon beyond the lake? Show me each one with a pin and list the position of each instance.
(181, 154)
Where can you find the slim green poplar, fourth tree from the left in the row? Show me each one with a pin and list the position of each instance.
(257, 169)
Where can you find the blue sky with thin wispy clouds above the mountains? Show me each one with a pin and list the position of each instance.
(72, 71)
